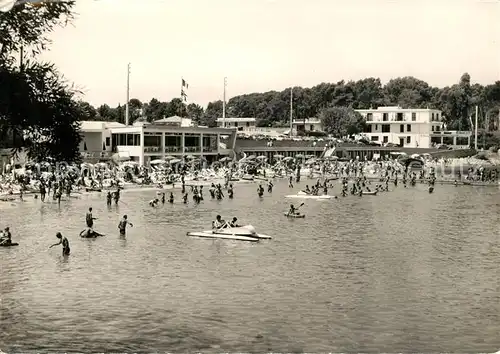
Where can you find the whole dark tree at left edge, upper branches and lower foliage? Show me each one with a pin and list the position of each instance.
(37, 106)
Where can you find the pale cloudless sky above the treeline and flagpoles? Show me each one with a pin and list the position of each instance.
(263, 45)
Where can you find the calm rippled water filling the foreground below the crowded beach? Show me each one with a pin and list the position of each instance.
(404, 271)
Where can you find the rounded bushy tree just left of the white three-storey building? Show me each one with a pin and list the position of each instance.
(341, 121)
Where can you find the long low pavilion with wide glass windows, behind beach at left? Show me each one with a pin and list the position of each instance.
(146, 142)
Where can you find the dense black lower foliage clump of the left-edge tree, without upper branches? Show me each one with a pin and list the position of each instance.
(41, 109)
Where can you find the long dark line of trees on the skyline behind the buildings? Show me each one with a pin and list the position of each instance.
(273, 108)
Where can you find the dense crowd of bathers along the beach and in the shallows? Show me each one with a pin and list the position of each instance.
(355, 177)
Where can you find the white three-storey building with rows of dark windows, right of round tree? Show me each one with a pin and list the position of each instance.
(415, 128)
